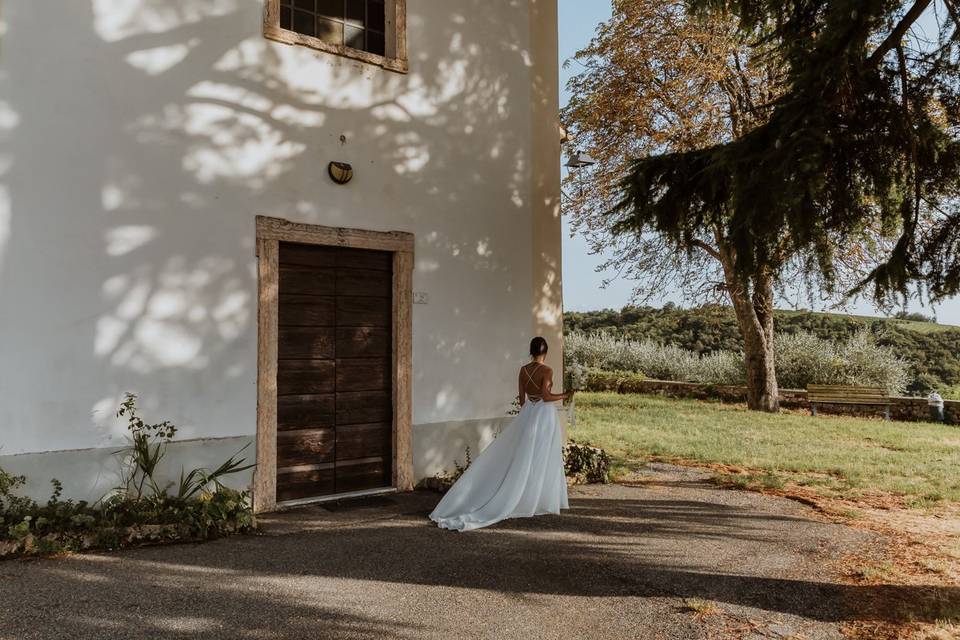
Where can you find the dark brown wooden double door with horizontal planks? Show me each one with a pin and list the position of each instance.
(334, 371)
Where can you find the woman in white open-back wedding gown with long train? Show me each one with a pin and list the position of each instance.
(521, 473)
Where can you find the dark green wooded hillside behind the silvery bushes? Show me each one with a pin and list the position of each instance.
(933, 350)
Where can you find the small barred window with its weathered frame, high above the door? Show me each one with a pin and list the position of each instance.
(368, 30)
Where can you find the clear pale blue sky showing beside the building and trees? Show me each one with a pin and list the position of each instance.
(582, 285)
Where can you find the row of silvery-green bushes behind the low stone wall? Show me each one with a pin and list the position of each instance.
(801, 359)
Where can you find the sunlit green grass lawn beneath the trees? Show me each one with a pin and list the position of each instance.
(838, 455)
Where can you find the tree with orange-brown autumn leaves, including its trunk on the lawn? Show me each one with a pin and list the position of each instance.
(662, 83)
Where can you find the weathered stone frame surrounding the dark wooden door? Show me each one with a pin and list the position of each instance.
(270, 233)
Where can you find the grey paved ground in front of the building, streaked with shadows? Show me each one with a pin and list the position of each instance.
(671, 557)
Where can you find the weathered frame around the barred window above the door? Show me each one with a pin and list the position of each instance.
(395, 34)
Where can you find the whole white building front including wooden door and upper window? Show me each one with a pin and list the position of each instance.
(171, 225)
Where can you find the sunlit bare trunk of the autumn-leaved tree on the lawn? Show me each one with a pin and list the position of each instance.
(755, 316)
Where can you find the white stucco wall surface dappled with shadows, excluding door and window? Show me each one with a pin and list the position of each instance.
(138, 140)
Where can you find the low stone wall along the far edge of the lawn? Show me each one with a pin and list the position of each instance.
(902, 408)
